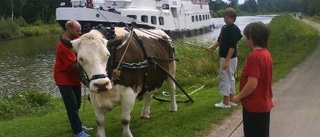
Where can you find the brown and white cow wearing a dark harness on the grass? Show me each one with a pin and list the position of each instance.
(141, 61)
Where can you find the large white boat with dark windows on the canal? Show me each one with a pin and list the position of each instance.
(178, 18)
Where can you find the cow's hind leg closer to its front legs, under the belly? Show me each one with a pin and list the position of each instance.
(147, 97)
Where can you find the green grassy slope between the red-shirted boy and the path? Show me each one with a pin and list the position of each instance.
(290, 43)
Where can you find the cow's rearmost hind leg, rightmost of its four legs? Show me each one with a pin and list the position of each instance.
(172, 87)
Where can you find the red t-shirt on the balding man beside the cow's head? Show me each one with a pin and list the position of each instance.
(62, 71)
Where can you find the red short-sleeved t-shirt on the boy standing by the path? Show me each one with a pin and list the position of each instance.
(258, 65)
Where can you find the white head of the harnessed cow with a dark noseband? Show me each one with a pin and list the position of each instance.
(92, 56)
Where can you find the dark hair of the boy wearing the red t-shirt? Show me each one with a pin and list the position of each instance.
(258, 32)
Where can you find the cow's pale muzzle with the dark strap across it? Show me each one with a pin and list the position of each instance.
(100, 83)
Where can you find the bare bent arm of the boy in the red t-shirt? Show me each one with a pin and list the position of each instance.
(247, 89)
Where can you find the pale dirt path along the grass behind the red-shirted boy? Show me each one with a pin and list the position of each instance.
(297, 103)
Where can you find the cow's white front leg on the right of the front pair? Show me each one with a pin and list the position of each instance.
(127, 102)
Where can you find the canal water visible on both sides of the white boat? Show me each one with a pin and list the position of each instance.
(26, 64)
